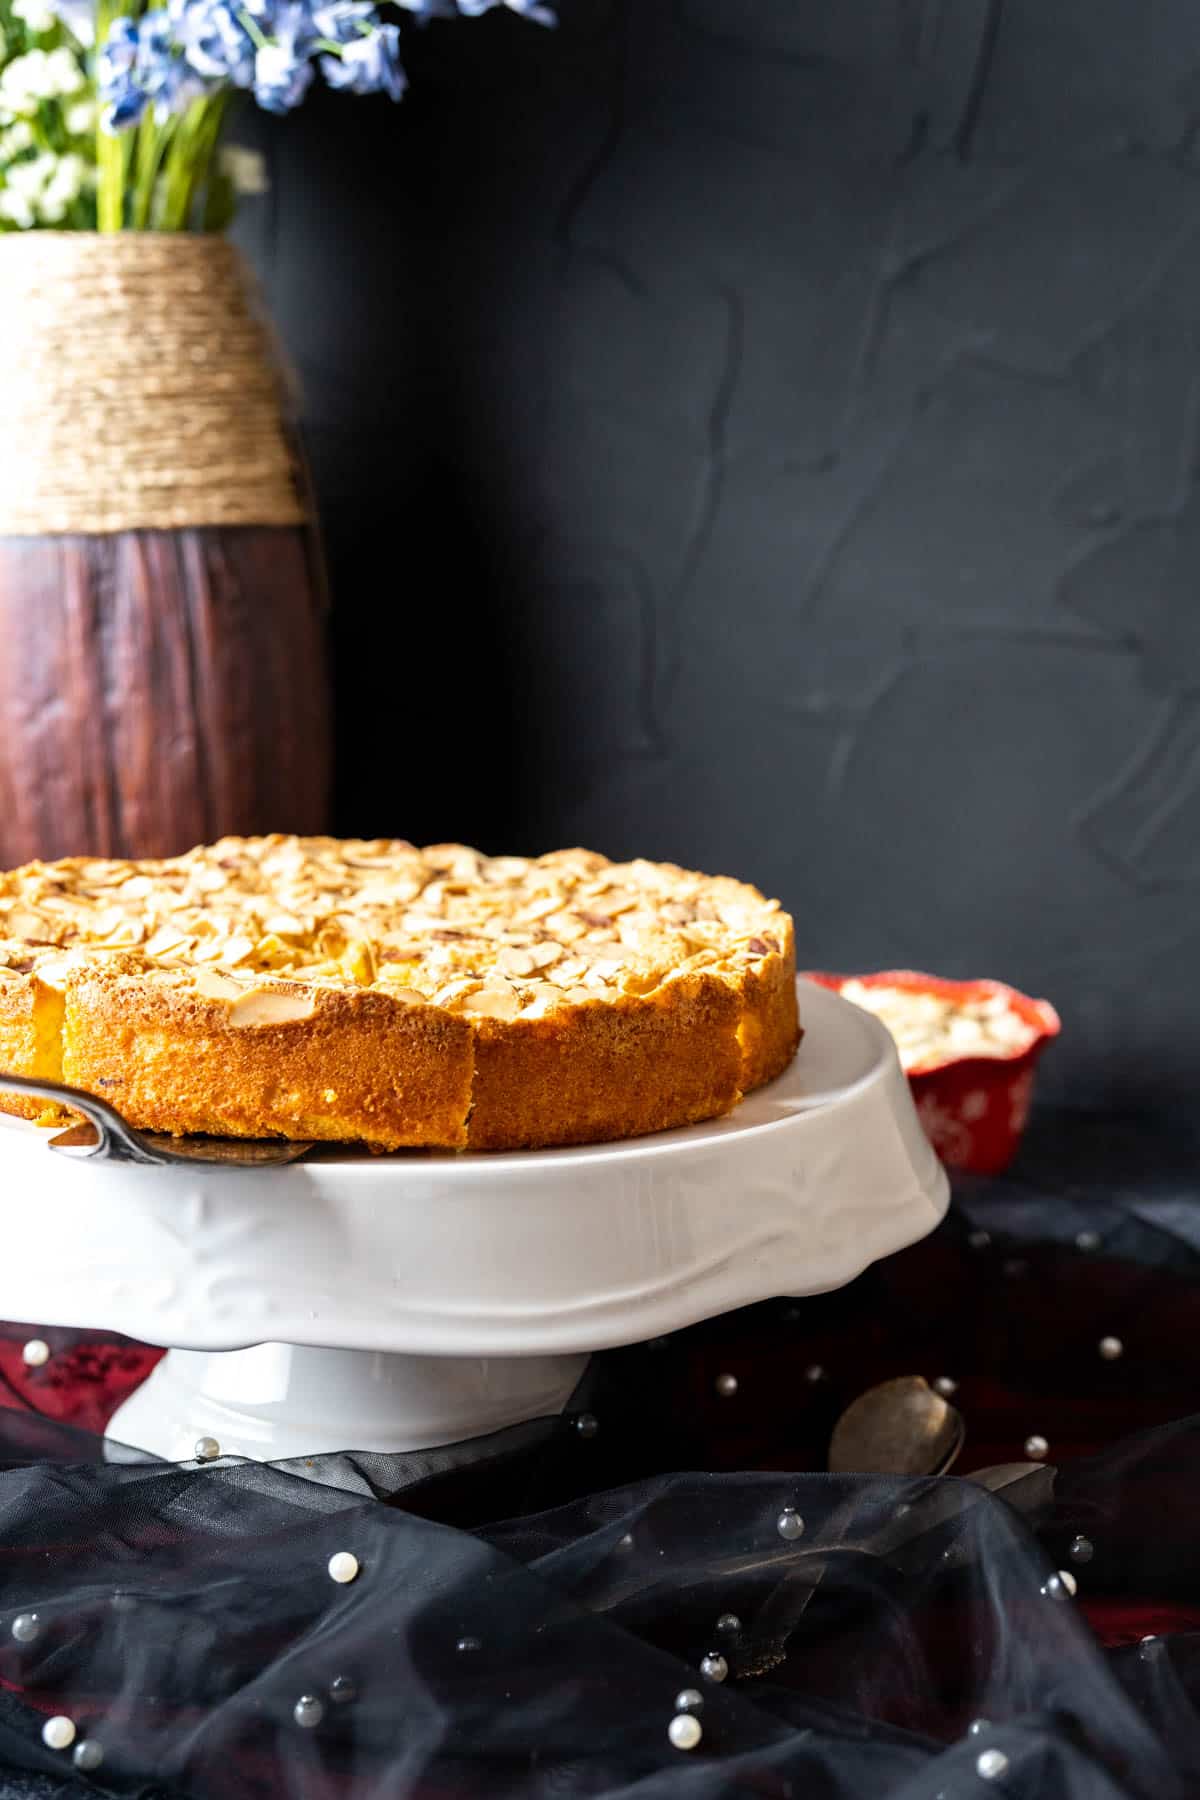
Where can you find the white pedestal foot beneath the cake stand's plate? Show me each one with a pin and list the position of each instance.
(280, 1401)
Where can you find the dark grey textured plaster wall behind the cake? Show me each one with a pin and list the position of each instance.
(764, 433)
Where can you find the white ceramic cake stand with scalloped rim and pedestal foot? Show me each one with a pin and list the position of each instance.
(422, 1299)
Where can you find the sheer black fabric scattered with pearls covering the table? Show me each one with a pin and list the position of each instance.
(530, 1610)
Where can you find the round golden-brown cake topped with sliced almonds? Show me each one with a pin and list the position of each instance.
(382, 994)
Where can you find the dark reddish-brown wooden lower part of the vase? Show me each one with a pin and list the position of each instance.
(161, 690)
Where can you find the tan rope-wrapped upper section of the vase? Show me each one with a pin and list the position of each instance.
(141, 388)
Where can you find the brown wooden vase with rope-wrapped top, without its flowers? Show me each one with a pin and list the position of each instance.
(163, 658)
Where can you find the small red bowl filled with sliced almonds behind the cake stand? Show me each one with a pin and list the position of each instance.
(969, 1050)
